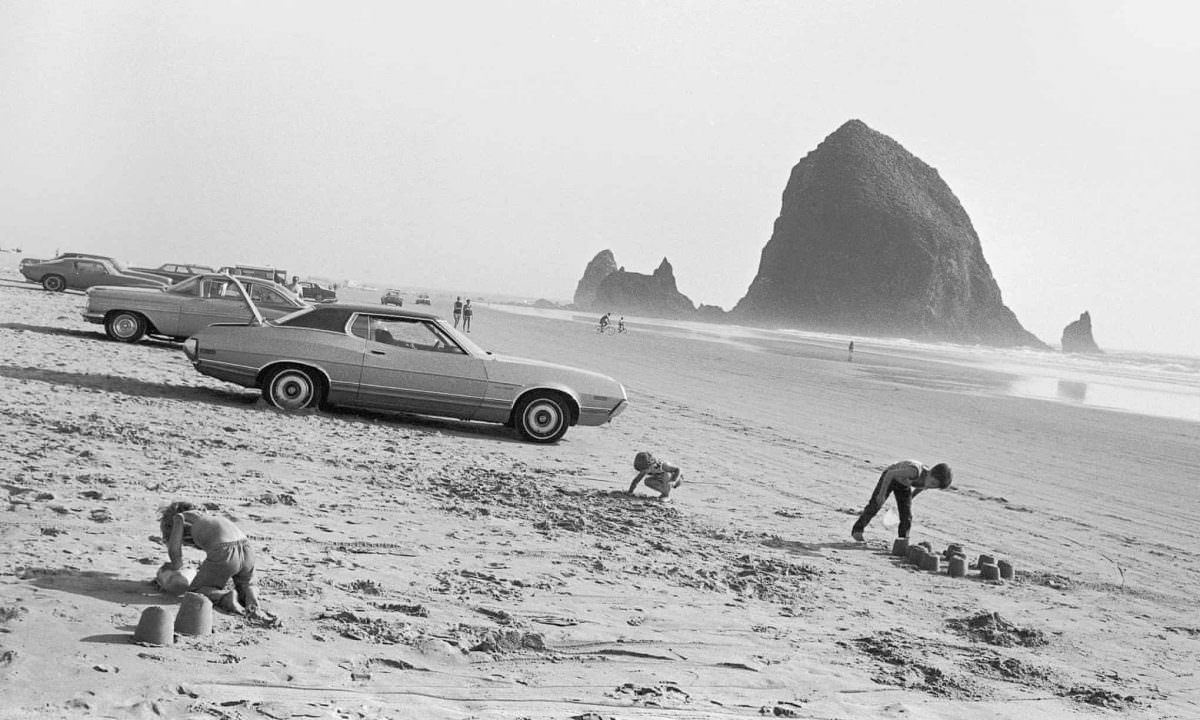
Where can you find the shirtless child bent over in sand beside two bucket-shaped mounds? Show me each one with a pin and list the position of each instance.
(229, 556)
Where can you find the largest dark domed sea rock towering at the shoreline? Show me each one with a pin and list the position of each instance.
(871, 241)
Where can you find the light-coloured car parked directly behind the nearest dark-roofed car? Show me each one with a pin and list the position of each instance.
(185, 308)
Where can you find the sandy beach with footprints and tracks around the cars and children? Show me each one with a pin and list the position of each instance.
(436, 569)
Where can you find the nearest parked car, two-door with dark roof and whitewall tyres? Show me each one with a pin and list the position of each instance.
(392, 359)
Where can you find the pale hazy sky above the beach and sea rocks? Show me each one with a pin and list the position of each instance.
(499, 147)
